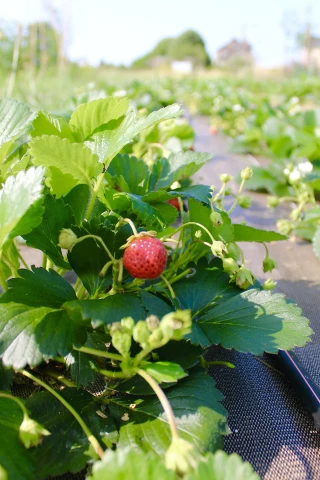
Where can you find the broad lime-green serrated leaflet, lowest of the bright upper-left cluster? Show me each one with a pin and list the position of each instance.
(72, 159)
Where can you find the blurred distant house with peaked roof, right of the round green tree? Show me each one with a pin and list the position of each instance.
(235, 52)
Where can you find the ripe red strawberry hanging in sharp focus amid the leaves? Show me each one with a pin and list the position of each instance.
(145, 257)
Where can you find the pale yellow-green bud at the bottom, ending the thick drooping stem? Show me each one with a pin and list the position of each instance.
(181, 457)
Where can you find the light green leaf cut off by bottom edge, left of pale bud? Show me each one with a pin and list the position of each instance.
(129, 464)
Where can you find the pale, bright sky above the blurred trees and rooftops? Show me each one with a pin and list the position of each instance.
(120, 31)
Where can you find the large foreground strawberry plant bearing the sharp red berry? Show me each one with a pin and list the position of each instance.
(106, 371)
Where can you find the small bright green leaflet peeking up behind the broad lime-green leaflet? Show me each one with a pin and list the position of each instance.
(46, 124)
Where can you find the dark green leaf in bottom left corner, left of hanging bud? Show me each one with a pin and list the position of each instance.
(14, 458)
